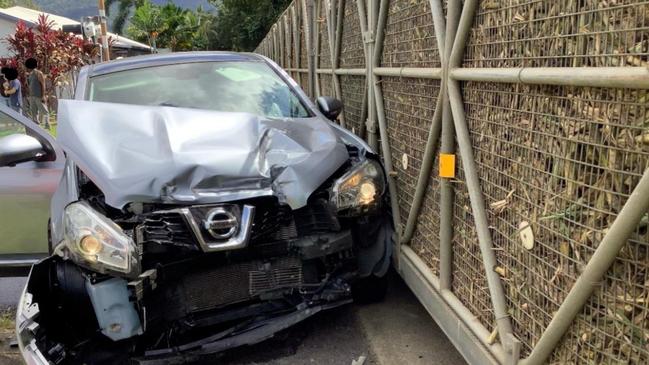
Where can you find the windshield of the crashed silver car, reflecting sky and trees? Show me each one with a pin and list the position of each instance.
(251, 87)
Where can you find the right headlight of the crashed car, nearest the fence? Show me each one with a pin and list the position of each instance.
(360, 189)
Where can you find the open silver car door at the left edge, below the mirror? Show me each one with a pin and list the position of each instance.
(25, 193)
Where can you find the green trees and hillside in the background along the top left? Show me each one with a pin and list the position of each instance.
(180, 25)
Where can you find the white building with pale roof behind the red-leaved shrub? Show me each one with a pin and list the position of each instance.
(9, 17)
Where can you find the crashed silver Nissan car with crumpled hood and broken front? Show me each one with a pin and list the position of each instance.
(204, 203)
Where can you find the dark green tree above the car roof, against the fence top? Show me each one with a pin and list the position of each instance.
(241, 24)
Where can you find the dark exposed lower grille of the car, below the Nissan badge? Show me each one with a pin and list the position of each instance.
(215, 287)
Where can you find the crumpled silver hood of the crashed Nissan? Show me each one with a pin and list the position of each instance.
(177, 155)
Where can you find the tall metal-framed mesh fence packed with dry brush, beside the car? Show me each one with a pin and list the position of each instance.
(537, 249)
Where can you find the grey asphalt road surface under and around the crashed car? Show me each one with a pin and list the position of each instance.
(396, 331)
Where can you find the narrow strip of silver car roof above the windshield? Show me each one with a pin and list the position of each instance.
(169, 59)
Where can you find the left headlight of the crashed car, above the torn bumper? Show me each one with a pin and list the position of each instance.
(96, 242)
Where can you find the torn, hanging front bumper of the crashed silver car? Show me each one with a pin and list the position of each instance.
(69, 315)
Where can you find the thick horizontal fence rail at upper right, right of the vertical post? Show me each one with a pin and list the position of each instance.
(612, 77)
